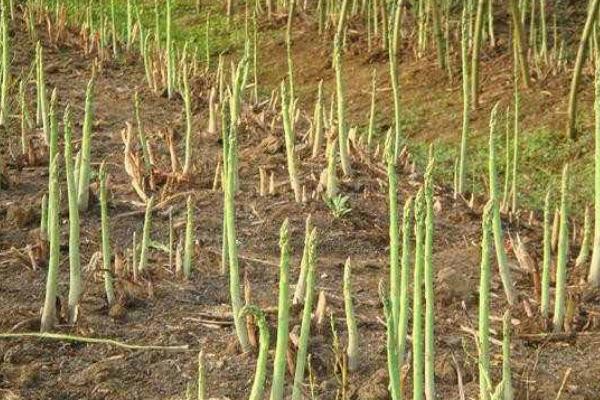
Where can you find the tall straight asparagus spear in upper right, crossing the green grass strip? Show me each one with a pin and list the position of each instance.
(462, 164)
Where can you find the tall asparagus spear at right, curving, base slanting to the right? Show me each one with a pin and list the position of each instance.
(496, 221)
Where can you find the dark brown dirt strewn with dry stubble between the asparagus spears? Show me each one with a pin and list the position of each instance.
(163, 310)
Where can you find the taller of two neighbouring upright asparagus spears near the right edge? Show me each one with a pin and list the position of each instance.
(562, 256)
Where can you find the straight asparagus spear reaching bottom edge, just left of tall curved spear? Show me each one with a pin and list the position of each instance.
(484, 304)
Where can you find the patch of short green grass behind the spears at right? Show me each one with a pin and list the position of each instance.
(543, 153)
